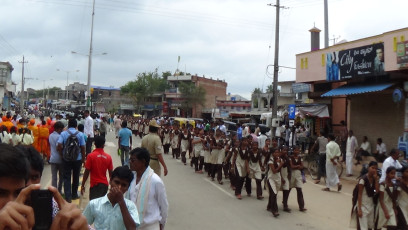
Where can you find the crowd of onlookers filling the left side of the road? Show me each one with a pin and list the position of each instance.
(133, 196)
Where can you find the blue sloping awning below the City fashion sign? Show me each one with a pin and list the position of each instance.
(356, 89)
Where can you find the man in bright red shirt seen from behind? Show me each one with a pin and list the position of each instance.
(97, 163)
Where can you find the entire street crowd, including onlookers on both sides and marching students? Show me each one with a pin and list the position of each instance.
(134, 195)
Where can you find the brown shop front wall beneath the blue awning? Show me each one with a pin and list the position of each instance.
(376, 115)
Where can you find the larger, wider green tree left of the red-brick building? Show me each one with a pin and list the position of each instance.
(145, 85)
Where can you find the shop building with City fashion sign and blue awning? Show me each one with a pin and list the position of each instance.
(363, 82)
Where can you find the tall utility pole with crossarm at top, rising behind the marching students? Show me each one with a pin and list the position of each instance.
(275, 68)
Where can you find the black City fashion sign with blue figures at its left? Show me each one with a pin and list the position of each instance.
(361, 61)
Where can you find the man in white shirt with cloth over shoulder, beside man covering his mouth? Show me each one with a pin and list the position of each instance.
(147, 191)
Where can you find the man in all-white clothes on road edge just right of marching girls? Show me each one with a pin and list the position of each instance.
(332, 157)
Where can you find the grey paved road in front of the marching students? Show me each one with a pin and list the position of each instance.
(198, 203)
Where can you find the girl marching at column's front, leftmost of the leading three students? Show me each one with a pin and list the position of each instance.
(274, 182)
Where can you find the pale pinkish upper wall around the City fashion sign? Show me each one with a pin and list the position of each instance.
(316, 68)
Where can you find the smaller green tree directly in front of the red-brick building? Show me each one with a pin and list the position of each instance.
(193, 96)
